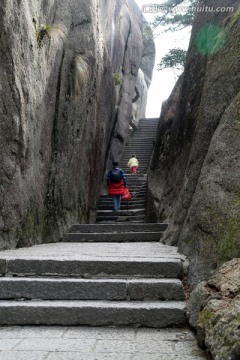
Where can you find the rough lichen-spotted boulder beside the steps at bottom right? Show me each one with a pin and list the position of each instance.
(215, 312)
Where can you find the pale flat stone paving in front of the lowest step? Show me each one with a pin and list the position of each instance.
(65, 343)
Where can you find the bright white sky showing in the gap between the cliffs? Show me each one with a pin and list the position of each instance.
(162, 81)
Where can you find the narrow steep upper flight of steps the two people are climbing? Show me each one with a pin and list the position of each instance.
(141, 144)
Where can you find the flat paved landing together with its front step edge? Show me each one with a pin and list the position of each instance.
(88, 259)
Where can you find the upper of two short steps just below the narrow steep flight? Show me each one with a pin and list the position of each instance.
(120, 228)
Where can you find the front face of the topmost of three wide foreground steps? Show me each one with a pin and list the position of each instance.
(164, 267)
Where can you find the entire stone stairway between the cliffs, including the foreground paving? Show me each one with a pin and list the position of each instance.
(113, 273)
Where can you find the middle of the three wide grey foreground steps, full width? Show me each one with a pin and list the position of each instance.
(91, 289)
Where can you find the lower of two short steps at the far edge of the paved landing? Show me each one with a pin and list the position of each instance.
(112, 237)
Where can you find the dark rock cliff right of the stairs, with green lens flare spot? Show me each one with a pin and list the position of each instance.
(194, 178)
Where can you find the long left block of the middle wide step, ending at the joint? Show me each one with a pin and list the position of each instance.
(63, 289)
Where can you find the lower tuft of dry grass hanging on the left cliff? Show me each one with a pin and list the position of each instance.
(79, 76)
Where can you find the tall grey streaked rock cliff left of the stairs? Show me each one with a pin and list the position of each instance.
(62, 116)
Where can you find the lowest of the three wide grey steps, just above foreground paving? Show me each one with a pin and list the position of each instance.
(94, 313)
